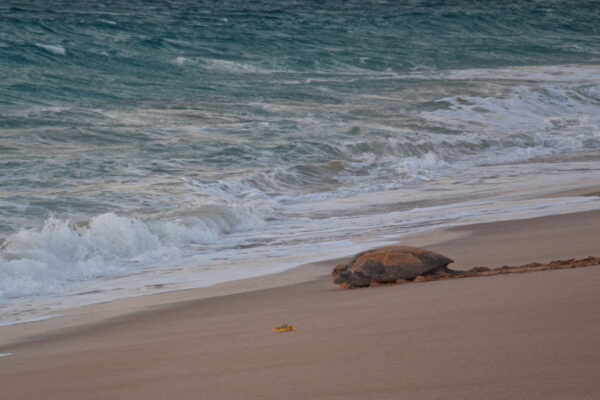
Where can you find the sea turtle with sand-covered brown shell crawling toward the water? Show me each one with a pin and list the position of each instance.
(389, 264)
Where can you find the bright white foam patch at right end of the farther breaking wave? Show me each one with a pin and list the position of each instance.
(527, 122)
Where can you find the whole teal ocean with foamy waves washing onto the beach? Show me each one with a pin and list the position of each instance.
(158, 145)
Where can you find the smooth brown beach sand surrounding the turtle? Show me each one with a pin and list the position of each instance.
(524, 336)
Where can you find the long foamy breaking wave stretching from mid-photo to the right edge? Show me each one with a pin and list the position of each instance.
(464, 131)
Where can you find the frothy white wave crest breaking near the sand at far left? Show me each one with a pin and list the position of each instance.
(47, 260)
